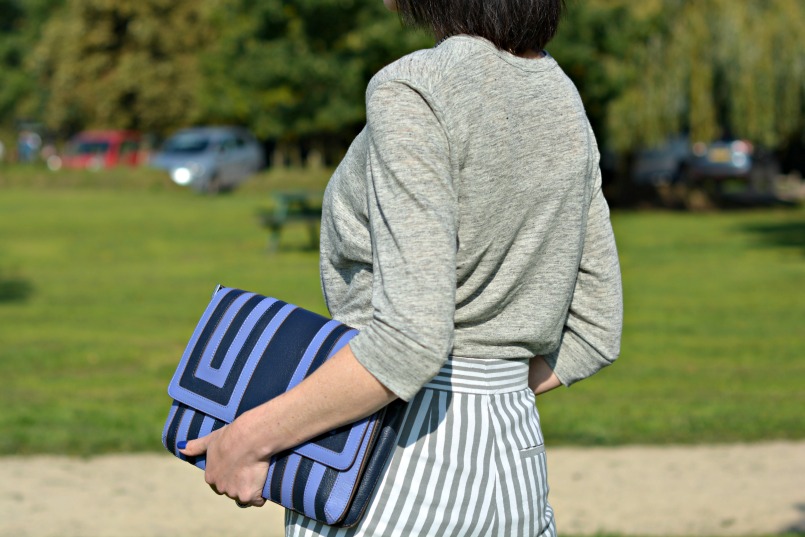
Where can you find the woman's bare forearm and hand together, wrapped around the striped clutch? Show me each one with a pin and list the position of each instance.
(341, 391)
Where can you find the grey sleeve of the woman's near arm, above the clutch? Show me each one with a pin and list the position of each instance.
(412, 207)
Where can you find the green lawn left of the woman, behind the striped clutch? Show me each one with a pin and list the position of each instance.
(117, 278)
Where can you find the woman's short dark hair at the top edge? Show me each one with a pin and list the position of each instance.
(513, 25)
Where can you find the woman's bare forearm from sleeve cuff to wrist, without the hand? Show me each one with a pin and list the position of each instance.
(341, 391)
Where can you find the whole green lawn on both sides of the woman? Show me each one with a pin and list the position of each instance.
(109, 272)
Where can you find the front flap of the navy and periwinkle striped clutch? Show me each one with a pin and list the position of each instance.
(247, 349)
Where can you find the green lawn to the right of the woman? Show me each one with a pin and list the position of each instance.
(713, 347)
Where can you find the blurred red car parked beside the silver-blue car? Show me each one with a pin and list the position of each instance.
(103, 149)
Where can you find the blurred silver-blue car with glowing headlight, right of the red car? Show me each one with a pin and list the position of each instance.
(210, 159)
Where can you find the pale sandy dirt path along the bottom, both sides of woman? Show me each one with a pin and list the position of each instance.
(756, 489)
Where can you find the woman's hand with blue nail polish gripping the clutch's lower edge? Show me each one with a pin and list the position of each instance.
(233, 469)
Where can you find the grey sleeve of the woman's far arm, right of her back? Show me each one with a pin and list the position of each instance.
(592, 333)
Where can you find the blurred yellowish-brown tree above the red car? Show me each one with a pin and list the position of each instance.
(121, 63)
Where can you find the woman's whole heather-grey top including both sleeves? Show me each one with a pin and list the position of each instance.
(467, 218)
